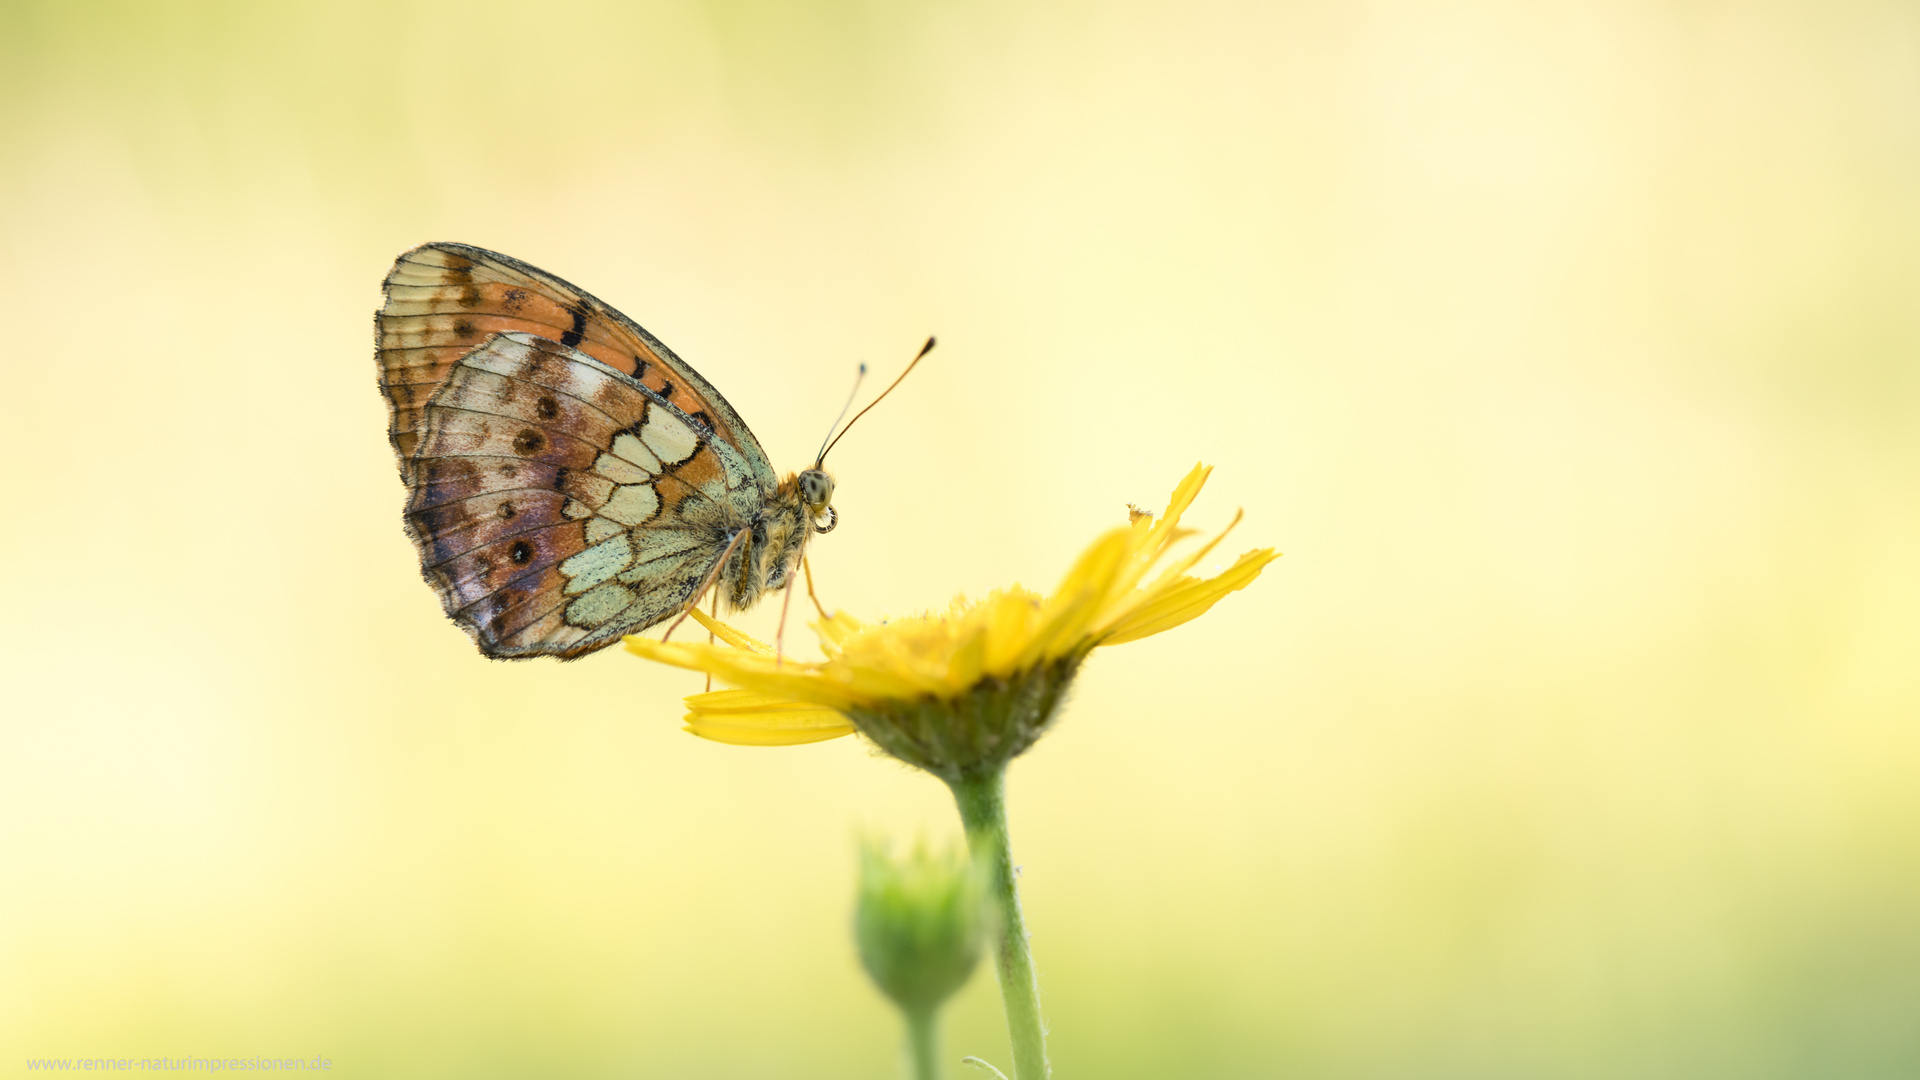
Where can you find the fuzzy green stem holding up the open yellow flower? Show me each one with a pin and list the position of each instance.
(984, 812)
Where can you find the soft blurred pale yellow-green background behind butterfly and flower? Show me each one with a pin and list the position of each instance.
(1572, 353)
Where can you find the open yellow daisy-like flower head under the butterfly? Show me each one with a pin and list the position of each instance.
(971, 687)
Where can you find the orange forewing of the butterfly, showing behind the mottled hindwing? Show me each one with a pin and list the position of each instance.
(446, 299)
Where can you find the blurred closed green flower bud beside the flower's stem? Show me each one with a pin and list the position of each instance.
(921, 923)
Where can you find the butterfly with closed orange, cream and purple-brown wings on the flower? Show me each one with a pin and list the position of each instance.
(569, 478)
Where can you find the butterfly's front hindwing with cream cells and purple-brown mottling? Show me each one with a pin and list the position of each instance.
(560, 504)
